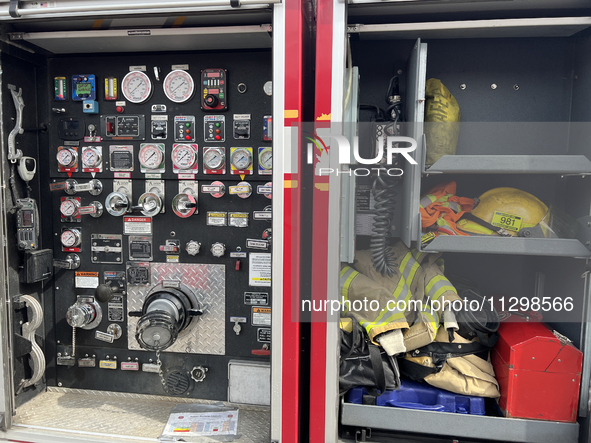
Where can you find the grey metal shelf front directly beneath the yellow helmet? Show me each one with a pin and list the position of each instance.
(551, 247)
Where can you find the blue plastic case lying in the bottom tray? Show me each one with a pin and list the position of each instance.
(413, 395)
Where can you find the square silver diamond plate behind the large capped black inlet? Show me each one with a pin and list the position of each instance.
(208, 282)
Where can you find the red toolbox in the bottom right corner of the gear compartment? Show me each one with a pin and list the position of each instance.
(539, 373)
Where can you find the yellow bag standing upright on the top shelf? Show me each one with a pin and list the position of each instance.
(442, 121)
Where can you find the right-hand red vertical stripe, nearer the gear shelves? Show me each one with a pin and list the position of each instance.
(324, 17)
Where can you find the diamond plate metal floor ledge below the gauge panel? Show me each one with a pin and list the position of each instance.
(126, 416)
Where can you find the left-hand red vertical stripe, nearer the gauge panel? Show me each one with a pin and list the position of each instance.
(290, 408)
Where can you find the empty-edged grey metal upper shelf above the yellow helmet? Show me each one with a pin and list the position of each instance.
(511, 164)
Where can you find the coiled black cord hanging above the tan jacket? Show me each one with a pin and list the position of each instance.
(384, 195)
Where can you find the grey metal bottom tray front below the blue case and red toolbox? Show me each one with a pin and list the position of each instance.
(458, 425)
